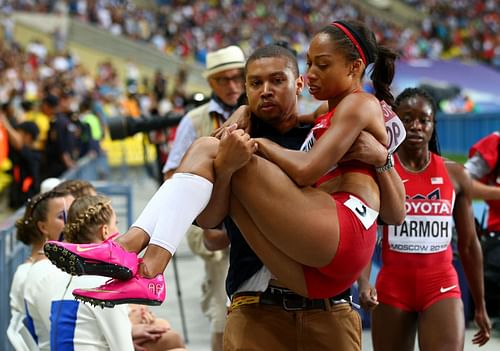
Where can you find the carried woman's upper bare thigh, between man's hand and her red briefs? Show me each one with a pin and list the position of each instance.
(301, 222)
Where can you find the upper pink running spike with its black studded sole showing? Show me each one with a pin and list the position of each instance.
(107, 258)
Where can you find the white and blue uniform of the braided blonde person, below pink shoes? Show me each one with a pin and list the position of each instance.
(58, 322)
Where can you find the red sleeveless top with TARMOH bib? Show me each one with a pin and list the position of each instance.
(424, 238)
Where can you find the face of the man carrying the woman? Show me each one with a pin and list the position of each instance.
(272, 88)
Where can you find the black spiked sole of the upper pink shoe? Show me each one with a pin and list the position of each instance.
(73, 264)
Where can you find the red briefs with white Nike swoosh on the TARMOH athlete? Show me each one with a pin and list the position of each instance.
(416, 289)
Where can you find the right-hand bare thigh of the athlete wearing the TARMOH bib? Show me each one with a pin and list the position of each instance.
(441, 327)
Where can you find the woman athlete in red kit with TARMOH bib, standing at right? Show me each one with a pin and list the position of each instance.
(417, 287)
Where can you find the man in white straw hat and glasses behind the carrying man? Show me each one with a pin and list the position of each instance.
(224, 74)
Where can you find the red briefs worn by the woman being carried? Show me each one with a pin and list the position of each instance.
(355, 250)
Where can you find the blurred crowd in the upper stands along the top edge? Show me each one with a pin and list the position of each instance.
(453, 29)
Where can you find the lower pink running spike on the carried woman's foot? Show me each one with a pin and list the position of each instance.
(140, 290)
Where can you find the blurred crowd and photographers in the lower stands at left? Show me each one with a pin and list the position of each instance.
(54, 112)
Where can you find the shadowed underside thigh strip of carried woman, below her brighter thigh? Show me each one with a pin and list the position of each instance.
(288, 271)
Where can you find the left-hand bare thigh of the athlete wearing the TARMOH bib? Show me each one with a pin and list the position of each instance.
(393, 329)
